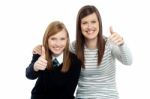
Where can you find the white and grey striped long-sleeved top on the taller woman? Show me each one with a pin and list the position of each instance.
(98, 82)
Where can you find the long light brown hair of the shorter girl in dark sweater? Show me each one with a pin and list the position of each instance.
(52, 29)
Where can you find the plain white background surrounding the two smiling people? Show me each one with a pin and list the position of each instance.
(22, 25)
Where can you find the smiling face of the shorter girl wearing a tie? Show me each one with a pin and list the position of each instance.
(57, 42)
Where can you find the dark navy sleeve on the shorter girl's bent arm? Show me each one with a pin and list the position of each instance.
(30, 73)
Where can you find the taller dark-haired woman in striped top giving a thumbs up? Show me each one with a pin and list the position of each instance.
(97, 54)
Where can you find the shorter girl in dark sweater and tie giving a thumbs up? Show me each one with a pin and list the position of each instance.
(56, 80)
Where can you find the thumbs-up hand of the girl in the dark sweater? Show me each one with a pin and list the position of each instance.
(41, 63)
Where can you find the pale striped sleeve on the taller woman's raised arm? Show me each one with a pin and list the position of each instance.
(122, 53)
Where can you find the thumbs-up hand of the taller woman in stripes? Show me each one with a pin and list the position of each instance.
(115, 37)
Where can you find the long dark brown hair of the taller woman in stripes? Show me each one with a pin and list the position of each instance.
(80, 39)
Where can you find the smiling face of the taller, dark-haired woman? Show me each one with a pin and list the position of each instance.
(90, 26)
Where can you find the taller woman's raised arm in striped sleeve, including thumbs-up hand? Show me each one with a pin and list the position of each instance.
(119, 48)
